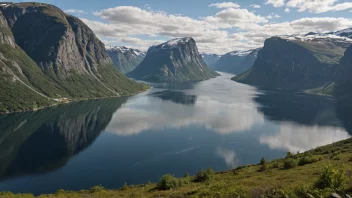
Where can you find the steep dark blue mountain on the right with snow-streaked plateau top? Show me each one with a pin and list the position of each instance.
(296, 62)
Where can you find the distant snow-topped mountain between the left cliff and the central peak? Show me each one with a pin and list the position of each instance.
(125, 59)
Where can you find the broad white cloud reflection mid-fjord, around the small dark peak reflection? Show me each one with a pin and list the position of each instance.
(222, 107)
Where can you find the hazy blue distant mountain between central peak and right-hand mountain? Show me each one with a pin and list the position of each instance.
(236, 62)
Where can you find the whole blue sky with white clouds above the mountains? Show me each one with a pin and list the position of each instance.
(217, 26)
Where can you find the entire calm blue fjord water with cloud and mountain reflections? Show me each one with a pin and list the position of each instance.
(170, 129)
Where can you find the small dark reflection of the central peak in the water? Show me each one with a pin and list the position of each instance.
(176, 97)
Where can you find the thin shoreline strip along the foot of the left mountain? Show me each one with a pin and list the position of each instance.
(73, 100)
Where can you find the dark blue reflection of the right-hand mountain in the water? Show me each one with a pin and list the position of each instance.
(298, 107)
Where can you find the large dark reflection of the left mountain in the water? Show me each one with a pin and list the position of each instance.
(42, 141)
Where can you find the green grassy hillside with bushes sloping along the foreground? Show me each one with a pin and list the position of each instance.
(316, 173)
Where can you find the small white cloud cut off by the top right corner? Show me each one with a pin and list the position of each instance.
(318, 6)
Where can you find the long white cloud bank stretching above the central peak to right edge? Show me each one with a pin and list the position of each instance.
(127, 24)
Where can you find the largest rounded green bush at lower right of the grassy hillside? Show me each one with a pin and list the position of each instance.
(331, 178)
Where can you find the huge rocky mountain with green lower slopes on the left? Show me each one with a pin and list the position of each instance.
(47, 56)
